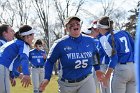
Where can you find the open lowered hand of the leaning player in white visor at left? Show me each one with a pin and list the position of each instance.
(26, 81)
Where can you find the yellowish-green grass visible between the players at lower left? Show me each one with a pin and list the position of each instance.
(51, 88)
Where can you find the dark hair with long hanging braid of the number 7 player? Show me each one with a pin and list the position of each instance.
(106, 21)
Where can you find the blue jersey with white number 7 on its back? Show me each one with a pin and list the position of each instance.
(124, 47)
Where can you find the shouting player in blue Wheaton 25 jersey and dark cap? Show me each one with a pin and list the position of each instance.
(76, 53)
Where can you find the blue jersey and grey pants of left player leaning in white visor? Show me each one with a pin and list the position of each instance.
(12, 54)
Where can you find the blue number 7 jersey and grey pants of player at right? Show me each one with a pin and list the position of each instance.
(123, 80)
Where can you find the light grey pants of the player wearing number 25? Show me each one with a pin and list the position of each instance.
(85, 86)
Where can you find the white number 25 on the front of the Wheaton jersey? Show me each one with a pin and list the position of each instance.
(81, 64)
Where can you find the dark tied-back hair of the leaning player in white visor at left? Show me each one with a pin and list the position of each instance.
(22, 29)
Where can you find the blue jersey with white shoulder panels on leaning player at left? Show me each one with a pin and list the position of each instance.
(14, 53)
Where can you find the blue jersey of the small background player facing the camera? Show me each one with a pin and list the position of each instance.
(36, 57)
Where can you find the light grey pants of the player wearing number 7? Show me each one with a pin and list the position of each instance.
(123, 80)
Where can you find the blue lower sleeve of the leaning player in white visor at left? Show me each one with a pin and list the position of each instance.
(25, 64)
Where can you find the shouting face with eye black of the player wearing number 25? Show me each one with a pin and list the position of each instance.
(74, 27)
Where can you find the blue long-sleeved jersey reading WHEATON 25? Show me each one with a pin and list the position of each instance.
(75, 55)
